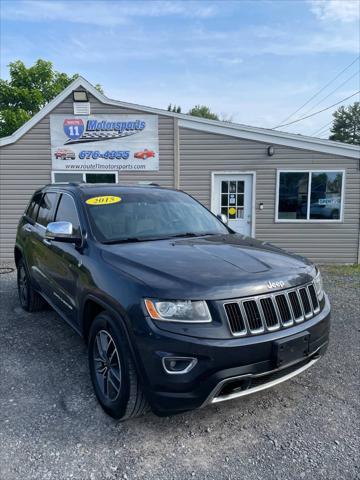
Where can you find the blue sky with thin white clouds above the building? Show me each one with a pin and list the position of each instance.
(252, 62)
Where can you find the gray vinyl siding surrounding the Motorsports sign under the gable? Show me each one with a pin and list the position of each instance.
(26, 165)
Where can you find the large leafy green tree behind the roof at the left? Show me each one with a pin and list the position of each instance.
(28, 91)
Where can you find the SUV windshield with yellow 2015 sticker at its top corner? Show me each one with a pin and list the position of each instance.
(150, 215)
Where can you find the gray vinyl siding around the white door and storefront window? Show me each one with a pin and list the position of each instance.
(202, 153)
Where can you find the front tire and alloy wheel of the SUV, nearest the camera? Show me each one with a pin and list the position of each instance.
(112, 370)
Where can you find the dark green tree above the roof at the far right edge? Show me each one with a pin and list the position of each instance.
(346, 124)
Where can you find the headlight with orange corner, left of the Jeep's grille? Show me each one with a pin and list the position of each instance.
(178, 310)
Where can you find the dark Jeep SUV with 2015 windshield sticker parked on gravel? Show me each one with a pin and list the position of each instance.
(178, 311)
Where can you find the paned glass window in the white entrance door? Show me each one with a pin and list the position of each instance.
(232, 199)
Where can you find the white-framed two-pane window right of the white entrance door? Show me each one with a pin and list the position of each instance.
(310, 195)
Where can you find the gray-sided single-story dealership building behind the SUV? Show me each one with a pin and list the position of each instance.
(300, 193)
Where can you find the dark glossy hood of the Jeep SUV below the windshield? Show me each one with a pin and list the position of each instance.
(211, 267)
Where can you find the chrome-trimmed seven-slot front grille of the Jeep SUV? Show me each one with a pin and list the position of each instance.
(249, 316)
